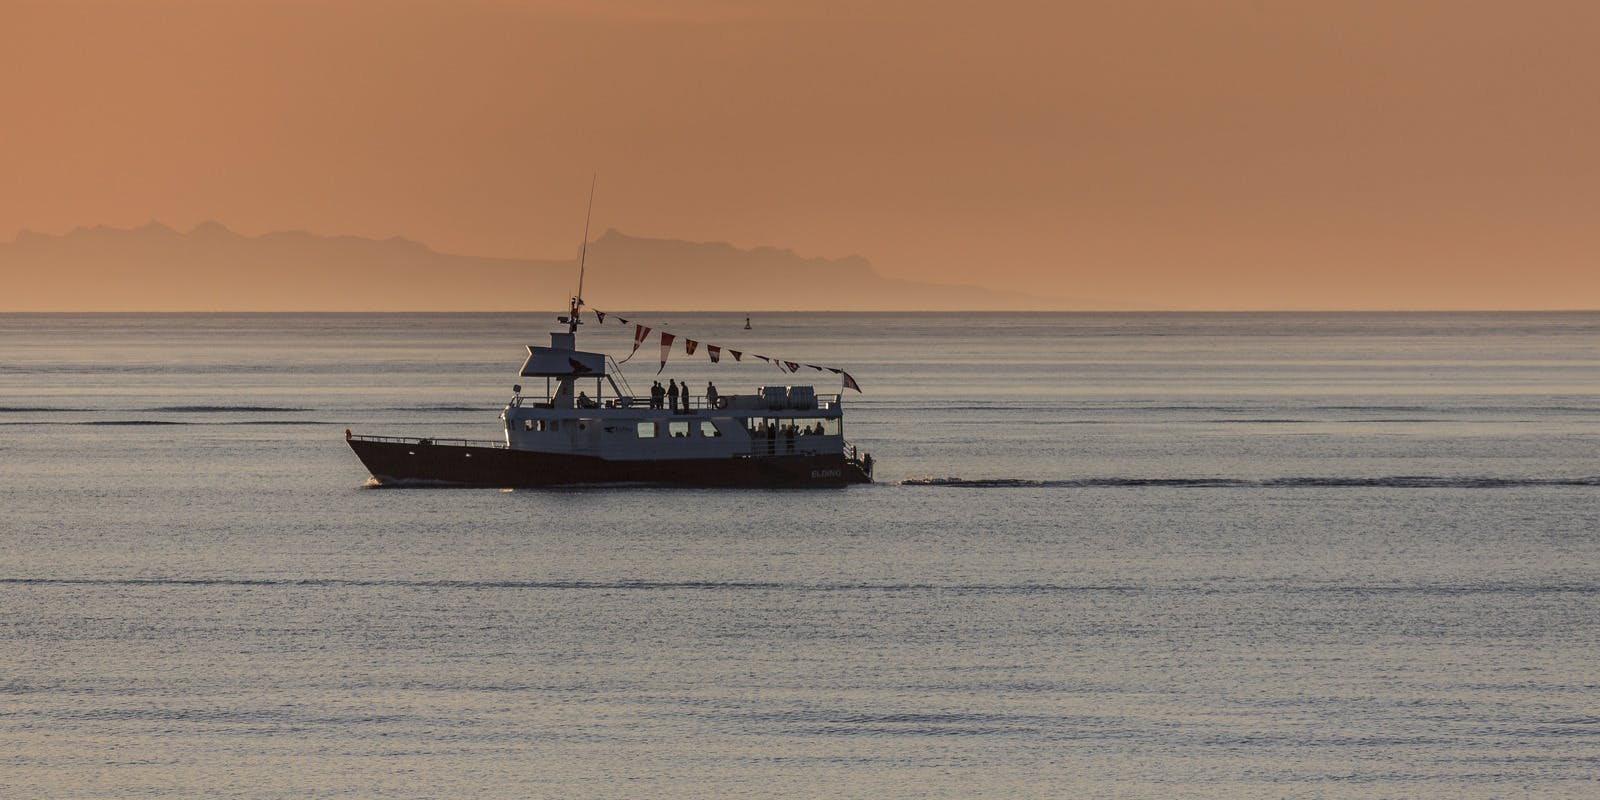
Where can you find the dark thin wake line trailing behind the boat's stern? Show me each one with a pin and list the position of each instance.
(1406, 482)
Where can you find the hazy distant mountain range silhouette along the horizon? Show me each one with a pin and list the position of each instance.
(210, 268)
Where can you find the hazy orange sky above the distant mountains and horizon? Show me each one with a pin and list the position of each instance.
(1174, 154)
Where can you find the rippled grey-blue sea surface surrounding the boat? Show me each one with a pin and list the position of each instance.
(1180, 556)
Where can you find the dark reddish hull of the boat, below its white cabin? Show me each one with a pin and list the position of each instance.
(423, 462)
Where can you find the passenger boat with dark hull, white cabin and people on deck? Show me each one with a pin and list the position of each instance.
(775, 436)
